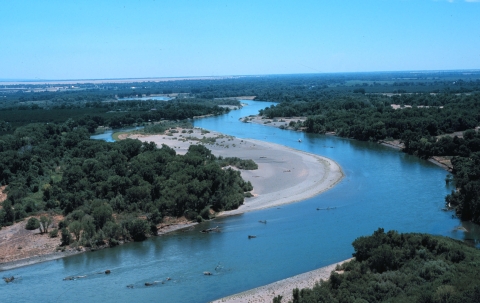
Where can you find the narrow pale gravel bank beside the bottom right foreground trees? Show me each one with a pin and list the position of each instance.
(283, 288)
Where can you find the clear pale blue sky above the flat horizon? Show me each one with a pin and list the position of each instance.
(53, 40)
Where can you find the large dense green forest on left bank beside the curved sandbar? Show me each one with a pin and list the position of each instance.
(111, 191)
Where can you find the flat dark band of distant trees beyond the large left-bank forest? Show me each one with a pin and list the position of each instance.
(112, 114)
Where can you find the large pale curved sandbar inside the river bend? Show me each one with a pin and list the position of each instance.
(284, 175)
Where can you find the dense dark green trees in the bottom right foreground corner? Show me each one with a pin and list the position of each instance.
(393, 267)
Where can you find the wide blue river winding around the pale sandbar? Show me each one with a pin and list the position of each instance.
(382, 188)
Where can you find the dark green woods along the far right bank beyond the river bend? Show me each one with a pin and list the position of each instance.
(371, 117)
